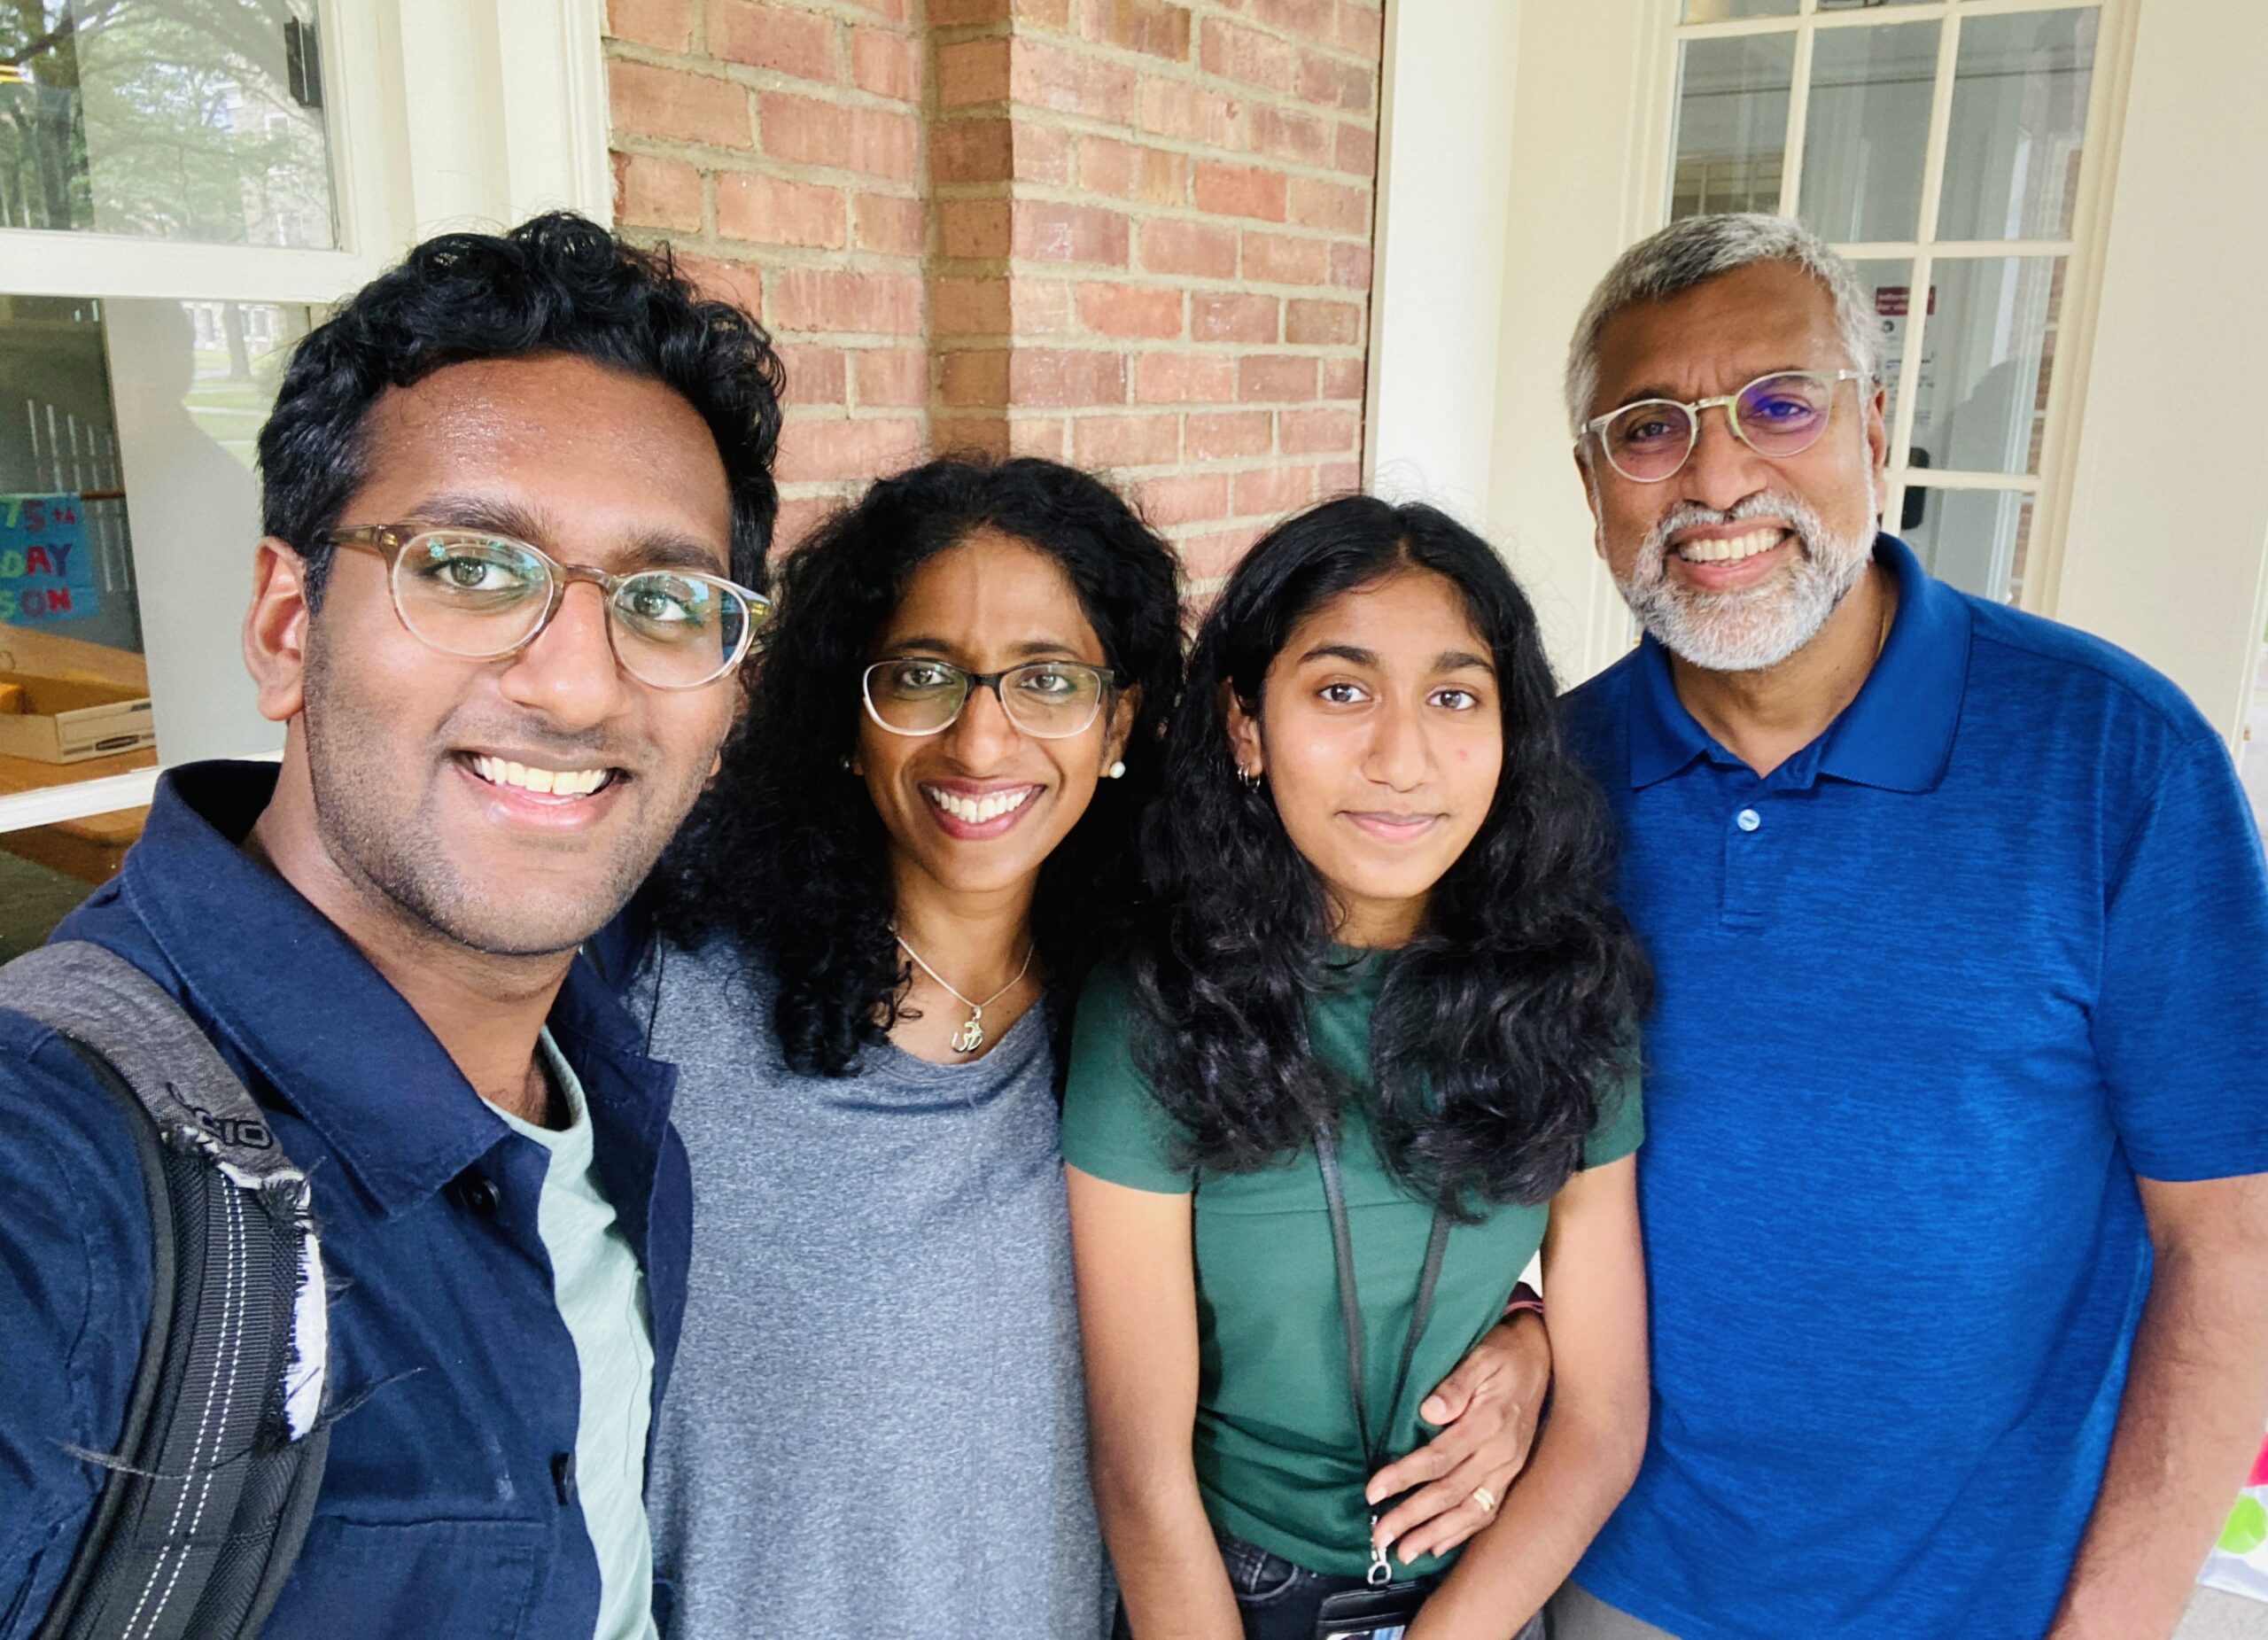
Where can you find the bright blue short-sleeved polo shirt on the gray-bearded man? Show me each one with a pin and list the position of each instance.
(1931, 997)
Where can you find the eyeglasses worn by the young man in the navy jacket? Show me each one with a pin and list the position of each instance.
(482, 595)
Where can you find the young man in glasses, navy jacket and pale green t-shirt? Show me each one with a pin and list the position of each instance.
(516, 500)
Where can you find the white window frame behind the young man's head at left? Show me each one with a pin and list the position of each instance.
(511, 119)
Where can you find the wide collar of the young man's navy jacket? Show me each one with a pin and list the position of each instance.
(294, 995)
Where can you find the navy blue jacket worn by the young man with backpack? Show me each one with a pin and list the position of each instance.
(450, 1503)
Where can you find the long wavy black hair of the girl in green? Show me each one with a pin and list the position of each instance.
(1518, 999)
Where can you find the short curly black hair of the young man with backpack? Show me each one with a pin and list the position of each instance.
(557, 285)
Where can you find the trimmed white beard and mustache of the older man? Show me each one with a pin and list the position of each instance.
(1754, 627)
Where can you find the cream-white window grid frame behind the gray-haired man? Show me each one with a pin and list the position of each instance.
(2083, 251)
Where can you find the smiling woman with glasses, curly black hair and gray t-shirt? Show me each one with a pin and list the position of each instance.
(870, 940)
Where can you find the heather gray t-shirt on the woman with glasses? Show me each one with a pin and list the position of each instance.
(874, 1426)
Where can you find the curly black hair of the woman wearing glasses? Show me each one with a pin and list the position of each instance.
(786, 852)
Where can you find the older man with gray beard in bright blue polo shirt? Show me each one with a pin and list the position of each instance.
(1954, 1192)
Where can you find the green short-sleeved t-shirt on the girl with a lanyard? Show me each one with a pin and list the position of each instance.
(1278, 1455)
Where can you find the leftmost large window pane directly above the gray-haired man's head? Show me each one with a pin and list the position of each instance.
(1732, 124)
